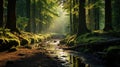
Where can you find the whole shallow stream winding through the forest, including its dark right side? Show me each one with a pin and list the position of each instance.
(69, 58)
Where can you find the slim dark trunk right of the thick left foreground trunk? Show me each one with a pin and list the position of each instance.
(28, 28)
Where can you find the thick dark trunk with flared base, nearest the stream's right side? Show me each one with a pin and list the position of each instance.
(82, 18)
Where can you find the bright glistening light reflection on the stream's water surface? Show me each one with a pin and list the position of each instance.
(65, 58)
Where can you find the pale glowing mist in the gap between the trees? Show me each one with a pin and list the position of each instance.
(60, 24)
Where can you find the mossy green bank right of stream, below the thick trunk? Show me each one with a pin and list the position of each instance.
(85, 38)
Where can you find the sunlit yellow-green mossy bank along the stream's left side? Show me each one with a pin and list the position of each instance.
(9, 40)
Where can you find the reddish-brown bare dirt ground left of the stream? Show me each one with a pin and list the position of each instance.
(24, 57)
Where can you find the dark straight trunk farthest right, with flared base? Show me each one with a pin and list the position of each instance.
(108, 16)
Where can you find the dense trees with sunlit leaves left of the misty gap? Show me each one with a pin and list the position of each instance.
(27, 15)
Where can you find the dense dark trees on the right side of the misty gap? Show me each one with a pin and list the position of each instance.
(90, 15)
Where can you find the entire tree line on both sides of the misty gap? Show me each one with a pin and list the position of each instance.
(85, 15)
